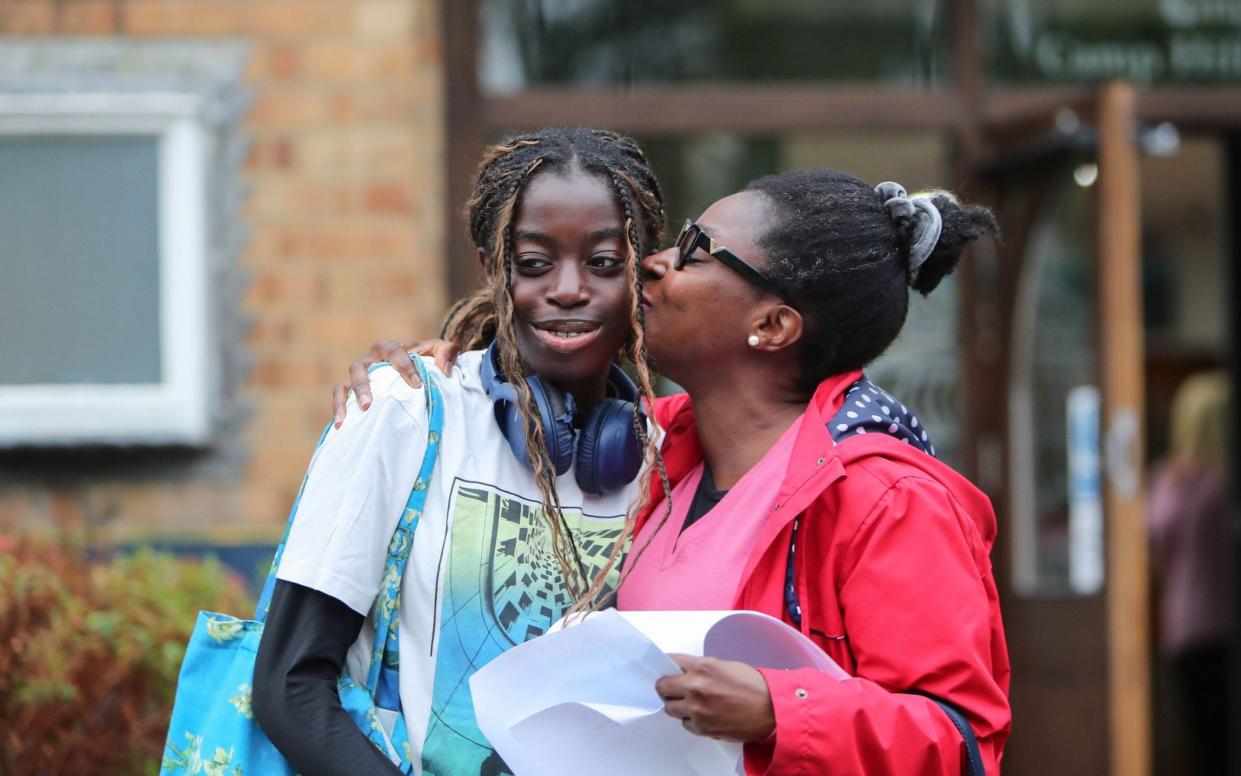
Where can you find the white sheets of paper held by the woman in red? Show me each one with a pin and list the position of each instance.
(583, 700)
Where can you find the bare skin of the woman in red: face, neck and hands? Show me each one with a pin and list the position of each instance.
(699, 322)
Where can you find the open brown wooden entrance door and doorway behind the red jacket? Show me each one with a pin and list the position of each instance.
(1114, 286)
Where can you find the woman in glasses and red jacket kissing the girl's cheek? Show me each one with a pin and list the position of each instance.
(804, 491)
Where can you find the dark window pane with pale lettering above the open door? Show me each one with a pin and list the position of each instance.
(1147, 42)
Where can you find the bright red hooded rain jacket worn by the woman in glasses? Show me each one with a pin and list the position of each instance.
(895, 583)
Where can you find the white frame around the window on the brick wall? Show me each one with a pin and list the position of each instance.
(177, 410)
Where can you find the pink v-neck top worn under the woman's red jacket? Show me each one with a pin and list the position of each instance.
(701, 569)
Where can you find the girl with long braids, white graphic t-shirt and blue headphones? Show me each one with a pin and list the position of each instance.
(543, 440)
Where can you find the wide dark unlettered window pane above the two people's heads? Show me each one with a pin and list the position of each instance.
(595, 43)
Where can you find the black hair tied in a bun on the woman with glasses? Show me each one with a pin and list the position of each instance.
(845, 260)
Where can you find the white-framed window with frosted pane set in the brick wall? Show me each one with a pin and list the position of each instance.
(106, 290)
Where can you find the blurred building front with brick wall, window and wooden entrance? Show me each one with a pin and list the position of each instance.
(290, 173)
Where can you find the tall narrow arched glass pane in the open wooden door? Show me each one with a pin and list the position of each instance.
(1052, 383)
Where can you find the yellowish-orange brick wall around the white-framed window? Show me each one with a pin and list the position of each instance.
(346, 213)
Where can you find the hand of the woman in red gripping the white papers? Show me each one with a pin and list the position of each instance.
(719, 700)
